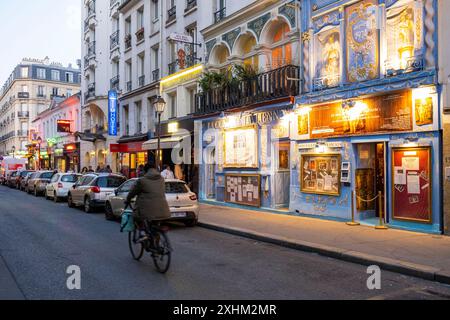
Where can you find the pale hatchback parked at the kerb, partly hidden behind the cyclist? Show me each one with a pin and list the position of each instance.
(182, 201)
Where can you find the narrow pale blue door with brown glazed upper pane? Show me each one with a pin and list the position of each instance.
(282, 181)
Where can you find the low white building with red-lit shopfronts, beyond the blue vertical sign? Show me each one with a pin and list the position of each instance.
(60, 148)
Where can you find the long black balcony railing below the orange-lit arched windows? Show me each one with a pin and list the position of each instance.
(267, 86)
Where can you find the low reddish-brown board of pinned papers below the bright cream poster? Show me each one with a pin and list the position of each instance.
(243, 189)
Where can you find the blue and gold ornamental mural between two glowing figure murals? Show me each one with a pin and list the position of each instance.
(362, 41)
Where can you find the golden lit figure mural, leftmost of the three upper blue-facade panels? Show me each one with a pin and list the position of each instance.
(328, 51)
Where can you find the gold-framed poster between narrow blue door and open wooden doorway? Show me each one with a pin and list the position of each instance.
(320, 174)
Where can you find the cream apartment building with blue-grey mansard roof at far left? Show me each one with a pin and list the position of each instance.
(27, 92)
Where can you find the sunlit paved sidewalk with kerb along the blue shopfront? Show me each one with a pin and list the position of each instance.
(416, 254)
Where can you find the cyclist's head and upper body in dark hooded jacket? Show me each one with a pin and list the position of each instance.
(151, 203)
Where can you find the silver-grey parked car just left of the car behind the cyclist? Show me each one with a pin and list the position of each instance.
(92, 190)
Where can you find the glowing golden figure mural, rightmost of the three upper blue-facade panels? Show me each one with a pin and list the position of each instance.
(404, 29)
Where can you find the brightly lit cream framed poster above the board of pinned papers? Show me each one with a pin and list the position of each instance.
(241, 147)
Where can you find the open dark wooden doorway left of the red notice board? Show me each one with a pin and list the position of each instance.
(370, 181)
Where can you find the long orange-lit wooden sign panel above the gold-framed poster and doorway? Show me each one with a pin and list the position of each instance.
(388, 113)
